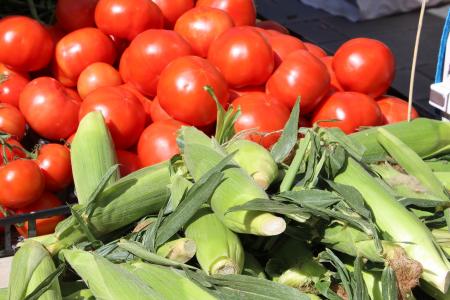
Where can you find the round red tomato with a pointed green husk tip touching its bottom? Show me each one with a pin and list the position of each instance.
(303, 75)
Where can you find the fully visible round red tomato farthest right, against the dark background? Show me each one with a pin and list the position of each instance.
(364, 65)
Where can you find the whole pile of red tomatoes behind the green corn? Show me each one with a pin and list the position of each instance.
(145, 64)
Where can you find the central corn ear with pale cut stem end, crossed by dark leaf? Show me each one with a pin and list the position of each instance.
(200, 155)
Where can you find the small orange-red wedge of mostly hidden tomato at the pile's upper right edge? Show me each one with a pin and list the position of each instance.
(283, 45)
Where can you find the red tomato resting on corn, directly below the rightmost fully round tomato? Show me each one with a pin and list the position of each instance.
(353, 109)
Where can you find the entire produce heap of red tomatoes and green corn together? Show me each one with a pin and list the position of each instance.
(205, 154)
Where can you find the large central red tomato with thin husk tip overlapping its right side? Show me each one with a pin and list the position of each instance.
(181, 90)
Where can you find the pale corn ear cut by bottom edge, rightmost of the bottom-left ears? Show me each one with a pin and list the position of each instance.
(168, 282)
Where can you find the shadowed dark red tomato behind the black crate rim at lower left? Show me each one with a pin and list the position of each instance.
(46, 225)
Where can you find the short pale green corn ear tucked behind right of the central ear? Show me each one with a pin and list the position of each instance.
(256, 160)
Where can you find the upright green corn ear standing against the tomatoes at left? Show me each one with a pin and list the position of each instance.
(92, 155)
